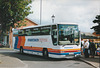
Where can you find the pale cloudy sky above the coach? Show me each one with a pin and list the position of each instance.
(82, 12)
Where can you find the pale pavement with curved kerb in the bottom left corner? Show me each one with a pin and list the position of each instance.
(11, 62)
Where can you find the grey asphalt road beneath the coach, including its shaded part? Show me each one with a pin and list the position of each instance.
(39, 62)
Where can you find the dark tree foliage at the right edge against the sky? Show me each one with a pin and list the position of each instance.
(97, 27)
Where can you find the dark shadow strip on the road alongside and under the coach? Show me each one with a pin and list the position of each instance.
(30, 57)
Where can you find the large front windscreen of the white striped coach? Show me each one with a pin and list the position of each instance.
(68, 34)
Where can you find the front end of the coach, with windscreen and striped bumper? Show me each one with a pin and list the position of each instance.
(69, 40)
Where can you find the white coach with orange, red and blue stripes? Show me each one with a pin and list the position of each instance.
(57, 40)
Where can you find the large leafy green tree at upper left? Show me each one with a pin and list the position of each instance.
(12, 11)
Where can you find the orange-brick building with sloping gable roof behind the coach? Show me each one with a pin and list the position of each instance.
(26, 21)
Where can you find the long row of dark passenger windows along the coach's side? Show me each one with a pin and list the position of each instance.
(44, 30)
